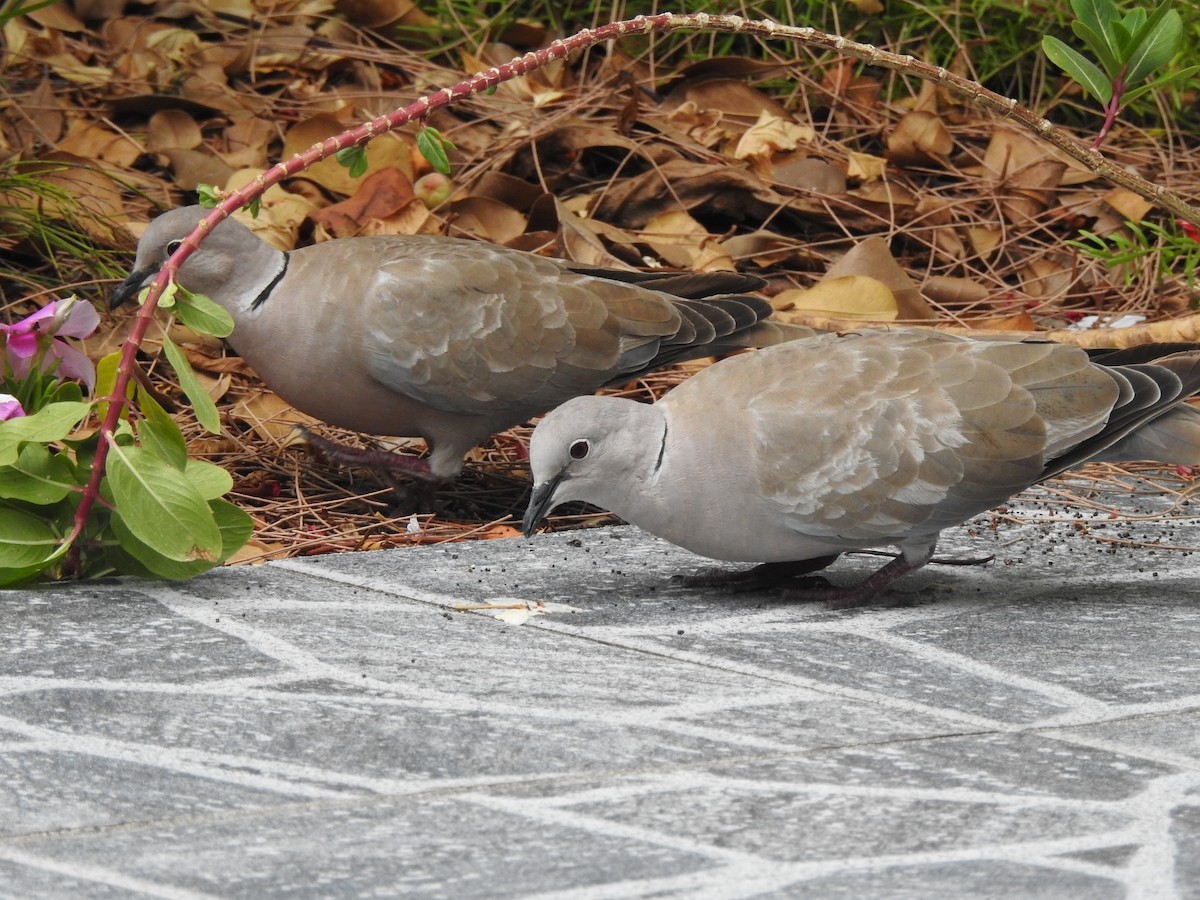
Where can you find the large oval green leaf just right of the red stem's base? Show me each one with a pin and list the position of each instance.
(163, 511)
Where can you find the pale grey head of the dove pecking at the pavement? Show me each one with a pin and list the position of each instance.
(595, 449)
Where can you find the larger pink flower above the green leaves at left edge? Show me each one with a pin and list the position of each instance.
(58, 320)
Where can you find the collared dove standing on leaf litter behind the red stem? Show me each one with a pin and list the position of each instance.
(443, 339)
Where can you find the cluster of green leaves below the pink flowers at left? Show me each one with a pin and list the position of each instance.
(161, 514)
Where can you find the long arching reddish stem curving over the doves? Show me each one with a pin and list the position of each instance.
(537, 59)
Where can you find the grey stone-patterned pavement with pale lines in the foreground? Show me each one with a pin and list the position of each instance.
(339, 727)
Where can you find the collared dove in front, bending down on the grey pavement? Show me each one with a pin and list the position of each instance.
(802, 452)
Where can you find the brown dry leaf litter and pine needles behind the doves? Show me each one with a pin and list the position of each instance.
(796, 167)
